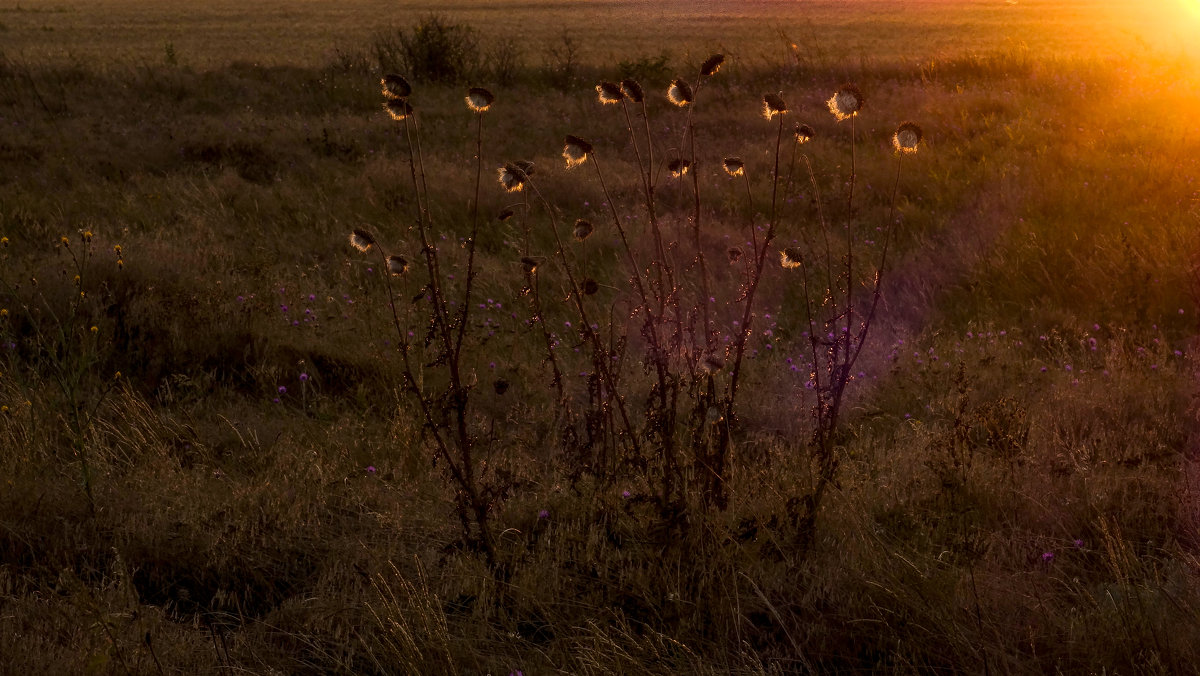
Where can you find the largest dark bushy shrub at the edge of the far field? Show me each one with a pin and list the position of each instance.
(435, 50)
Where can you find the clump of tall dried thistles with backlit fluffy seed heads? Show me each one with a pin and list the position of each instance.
(671, 424)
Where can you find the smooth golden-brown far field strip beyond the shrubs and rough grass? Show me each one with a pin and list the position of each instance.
(304, 33)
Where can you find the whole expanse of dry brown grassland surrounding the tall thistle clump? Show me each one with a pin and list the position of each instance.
(1018, 489)
